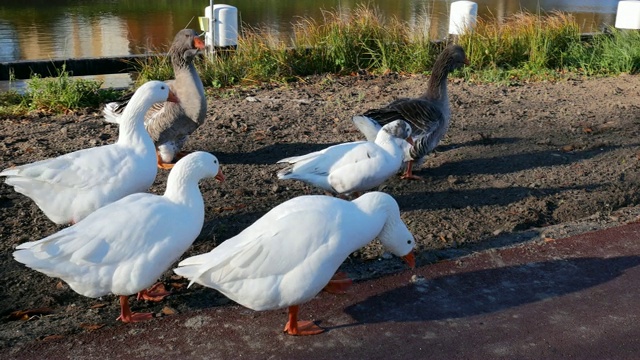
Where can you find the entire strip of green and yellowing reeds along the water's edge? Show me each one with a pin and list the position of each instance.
(523, 47)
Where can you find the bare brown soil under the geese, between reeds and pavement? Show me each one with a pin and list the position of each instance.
(523, 162)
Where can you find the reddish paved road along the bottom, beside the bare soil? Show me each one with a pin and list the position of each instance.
(573, 298)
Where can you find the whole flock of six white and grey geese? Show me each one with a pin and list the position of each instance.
(122, 238)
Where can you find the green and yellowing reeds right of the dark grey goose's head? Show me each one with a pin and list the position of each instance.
(531, 47)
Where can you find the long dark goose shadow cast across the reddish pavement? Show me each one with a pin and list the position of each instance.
(486, 291)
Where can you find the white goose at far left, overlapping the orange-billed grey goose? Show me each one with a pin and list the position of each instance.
(71, 186)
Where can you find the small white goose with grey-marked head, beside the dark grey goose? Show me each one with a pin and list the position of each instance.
(354, 166)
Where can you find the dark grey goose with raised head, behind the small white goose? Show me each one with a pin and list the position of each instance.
(429, 115)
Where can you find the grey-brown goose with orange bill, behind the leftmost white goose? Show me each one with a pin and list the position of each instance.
(170, 124)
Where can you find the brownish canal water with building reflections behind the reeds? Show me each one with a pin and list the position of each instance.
(59, 29)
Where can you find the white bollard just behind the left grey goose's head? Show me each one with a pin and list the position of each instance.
(223, 28)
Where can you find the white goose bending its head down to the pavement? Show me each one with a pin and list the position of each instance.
(287, 256)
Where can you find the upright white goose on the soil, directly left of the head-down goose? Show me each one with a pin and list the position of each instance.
(124, 247)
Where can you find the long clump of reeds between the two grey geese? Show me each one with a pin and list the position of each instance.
(343, 43)
